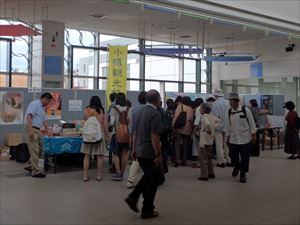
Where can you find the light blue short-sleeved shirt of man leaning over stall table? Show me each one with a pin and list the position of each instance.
(37, 112)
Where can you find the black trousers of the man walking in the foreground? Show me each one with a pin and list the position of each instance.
(147, 185)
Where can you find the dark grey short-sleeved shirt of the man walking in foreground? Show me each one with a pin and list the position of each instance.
(149, 122)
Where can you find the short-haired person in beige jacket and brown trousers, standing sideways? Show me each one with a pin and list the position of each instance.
(207, 135)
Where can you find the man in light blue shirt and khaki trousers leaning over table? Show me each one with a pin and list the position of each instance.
(35, 120)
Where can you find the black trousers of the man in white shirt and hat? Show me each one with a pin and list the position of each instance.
(240, 157)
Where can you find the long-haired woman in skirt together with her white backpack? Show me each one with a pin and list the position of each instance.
(95, 136)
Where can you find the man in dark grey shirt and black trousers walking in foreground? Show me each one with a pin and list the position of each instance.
(148, 153)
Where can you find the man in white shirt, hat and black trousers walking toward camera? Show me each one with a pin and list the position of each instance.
(240, 132)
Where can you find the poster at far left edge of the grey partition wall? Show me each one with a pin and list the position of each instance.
(11, 108)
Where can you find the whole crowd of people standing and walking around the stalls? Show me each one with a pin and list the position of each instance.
(218, 127)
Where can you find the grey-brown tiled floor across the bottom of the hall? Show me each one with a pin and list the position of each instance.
(271, 196)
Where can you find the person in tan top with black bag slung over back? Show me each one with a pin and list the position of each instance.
(183, 124)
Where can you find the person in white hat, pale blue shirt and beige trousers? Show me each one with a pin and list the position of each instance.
(219, 109)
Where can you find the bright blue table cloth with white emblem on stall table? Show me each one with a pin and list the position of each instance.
(60, 145)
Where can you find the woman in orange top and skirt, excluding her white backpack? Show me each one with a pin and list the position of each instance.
(95, 109)
